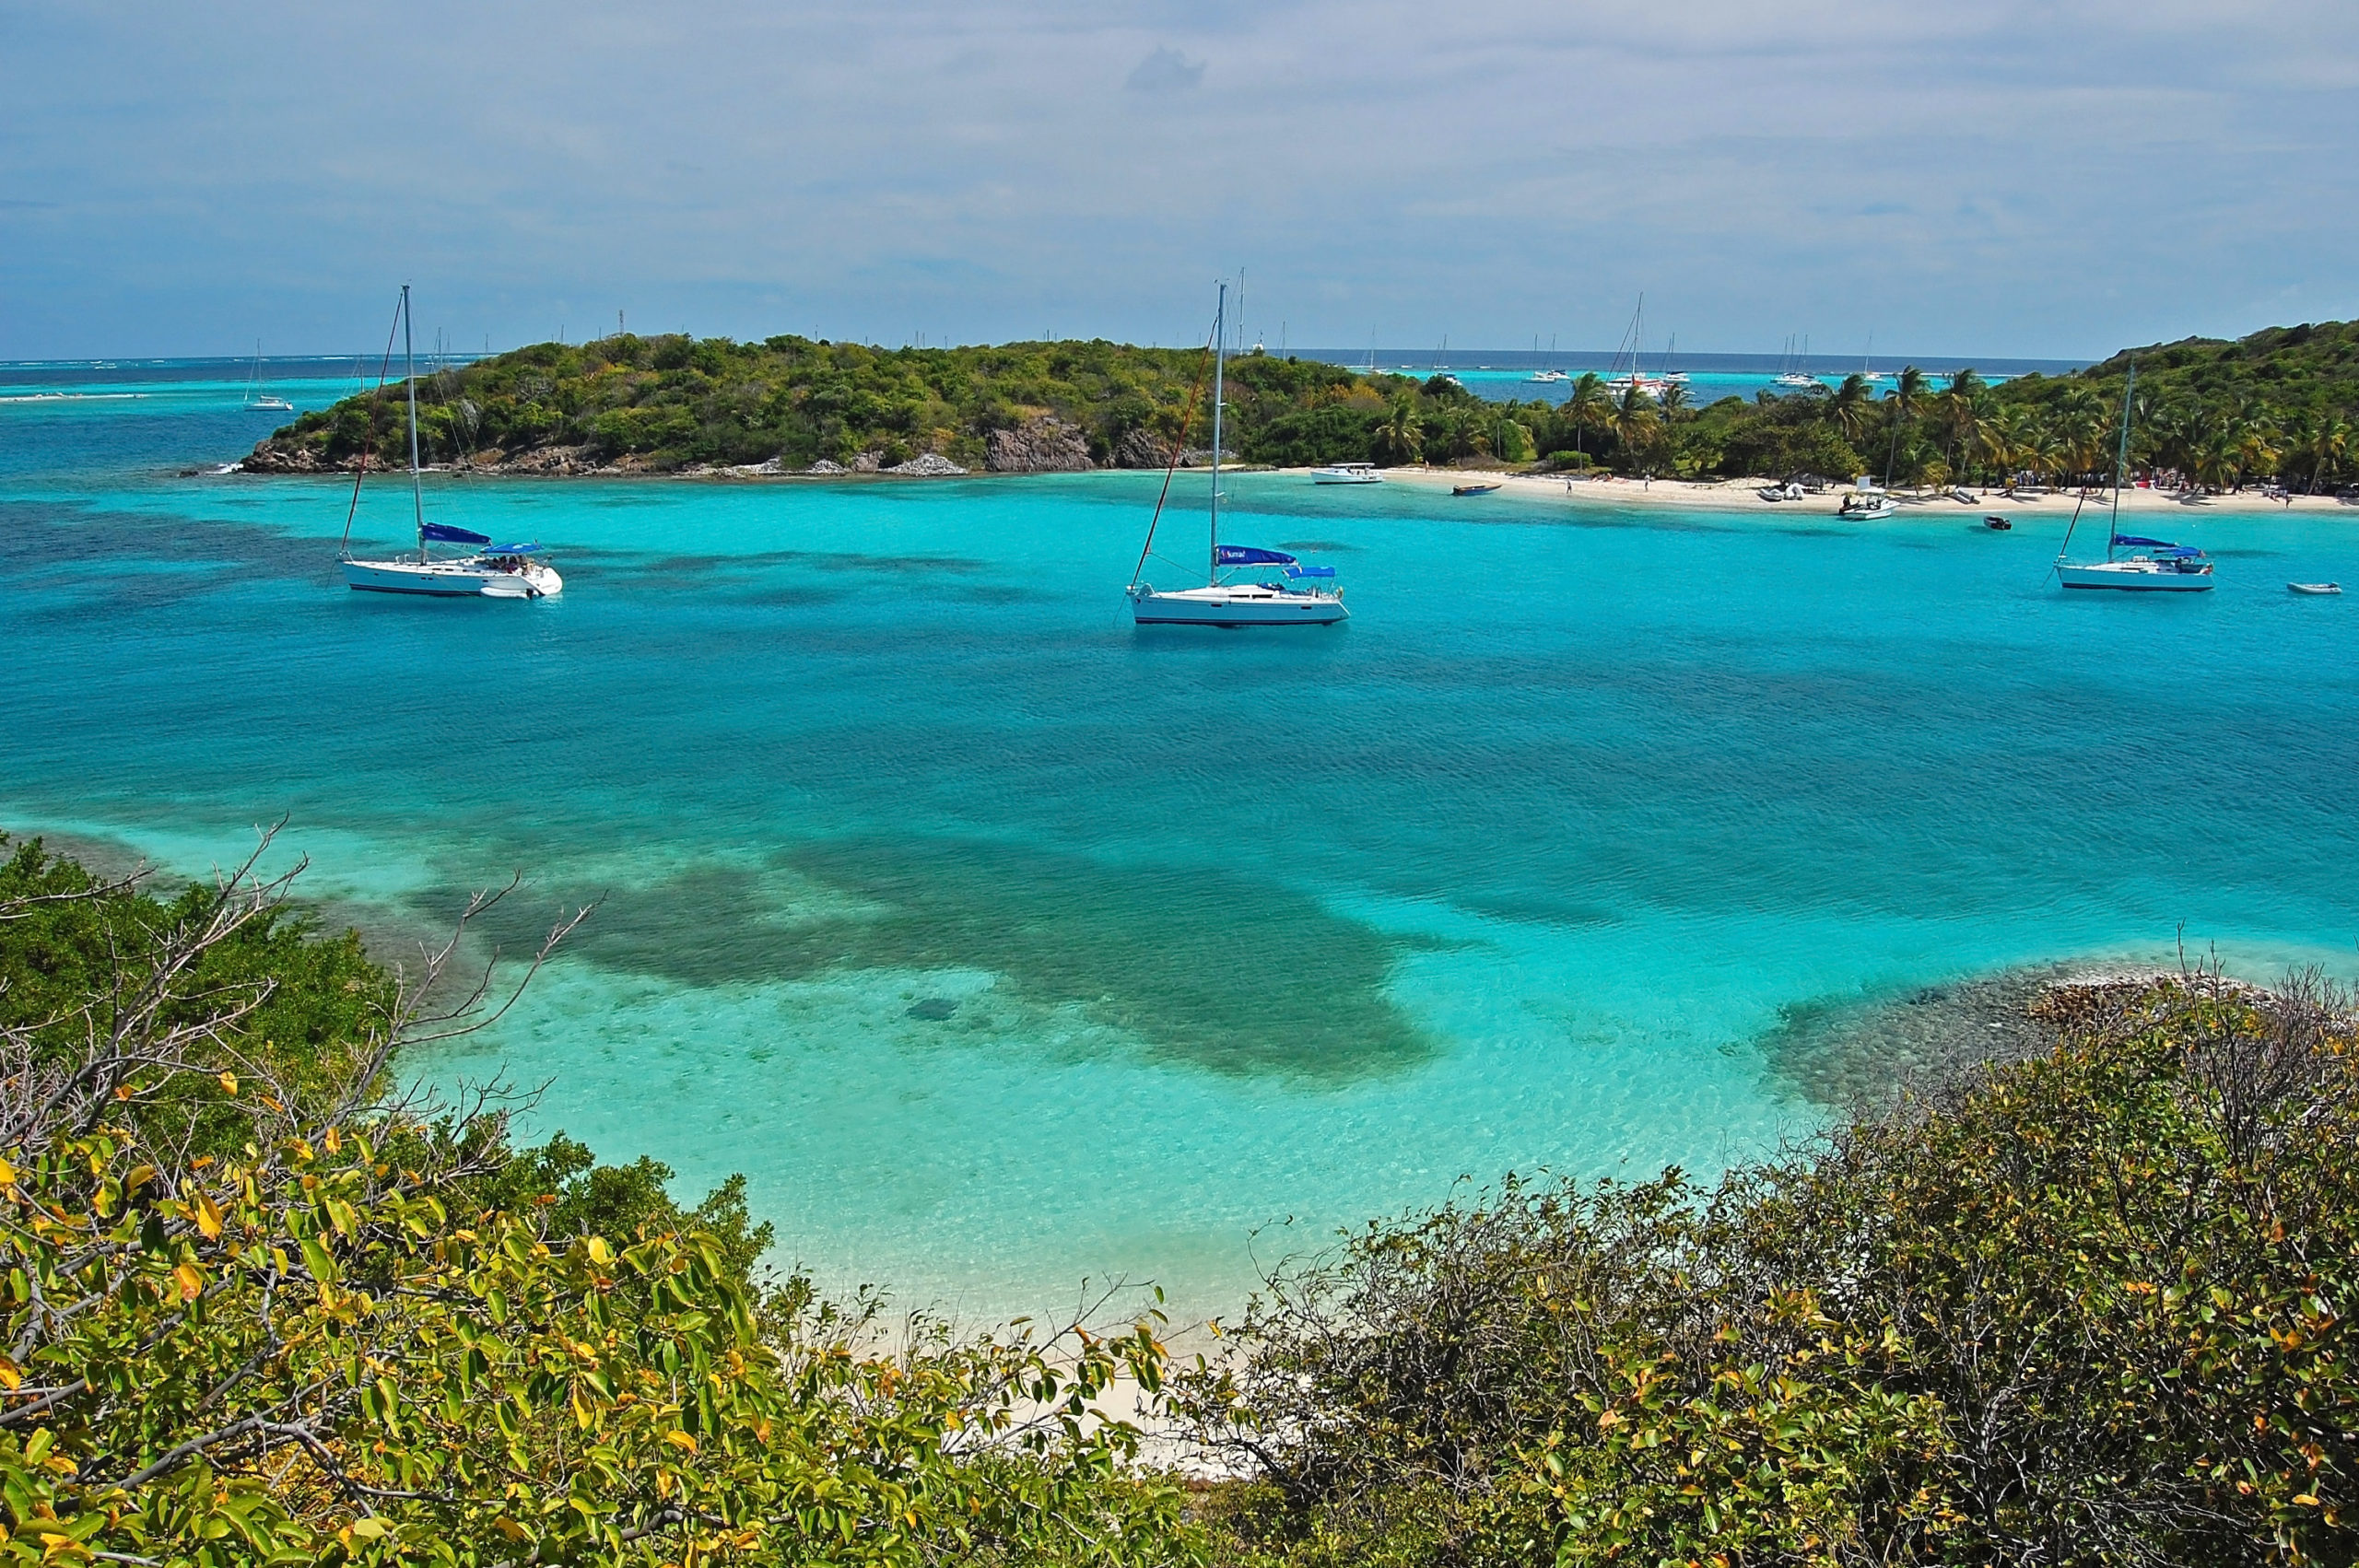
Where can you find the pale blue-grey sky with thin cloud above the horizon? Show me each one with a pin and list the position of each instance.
(2011, 178)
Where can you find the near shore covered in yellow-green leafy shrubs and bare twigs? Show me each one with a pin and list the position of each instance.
(2089, 1305)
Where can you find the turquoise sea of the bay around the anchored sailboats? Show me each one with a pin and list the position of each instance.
(1004, 944)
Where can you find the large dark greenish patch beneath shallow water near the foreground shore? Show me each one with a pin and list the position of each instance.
(1204, 968)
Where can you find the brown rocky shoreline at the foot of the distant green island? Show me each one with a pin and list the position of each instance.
(1037, 447)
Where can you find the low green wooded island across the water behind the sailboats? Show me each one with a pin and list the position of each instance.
(2273, 407)
